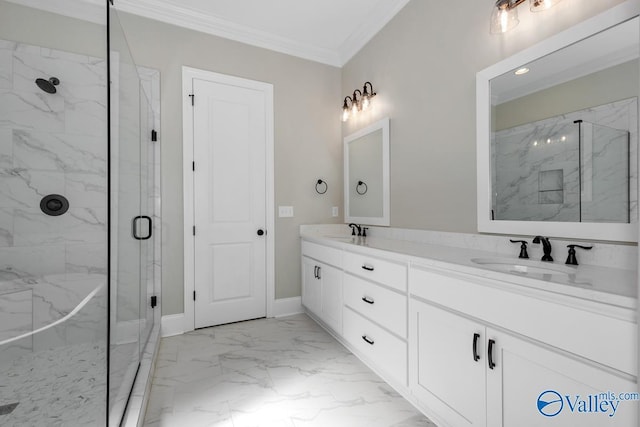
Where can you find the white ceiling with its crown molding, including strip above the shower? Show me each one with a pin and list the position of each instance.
(326, 31)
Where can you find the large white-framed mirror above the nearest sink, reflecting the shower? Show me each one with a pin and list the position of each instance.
(557, 134)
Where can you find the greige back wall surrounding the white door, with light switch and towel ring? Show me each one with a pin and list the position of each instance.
(308, 142)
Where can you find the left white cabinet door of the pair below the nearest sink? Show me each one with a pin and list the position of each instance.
(445, 375)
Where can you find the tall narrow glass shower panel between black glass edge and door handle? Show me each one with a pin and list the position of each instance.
(126, 224)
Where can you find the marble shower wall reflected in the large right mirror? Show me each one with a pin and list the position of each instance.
(538, 177)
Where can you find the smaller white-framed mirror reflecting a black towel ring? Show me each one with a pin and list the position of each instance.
(366, 175)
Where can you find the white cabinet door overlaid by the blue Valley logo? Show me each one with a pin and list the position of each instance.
(532, 385)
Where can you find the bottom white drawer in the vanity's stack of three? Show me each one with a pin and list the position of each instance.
(381, 348)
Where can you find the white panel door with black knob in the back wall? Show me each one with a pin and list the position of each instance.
(229, 124)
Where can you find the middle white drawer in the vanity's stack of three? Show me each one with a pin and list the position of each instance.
(383, 306)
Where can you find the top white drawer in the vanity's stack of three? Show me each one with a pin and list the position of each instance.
(389, 273)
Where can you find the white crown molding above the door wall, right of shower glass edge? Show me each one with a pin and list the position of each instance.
(172, 14)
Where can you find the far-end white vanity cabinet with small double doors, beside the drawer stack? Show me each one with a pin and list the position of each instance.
(322, 283)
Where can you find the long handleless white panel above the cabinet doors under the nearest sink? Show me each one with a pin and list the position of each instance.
(599, 337)
